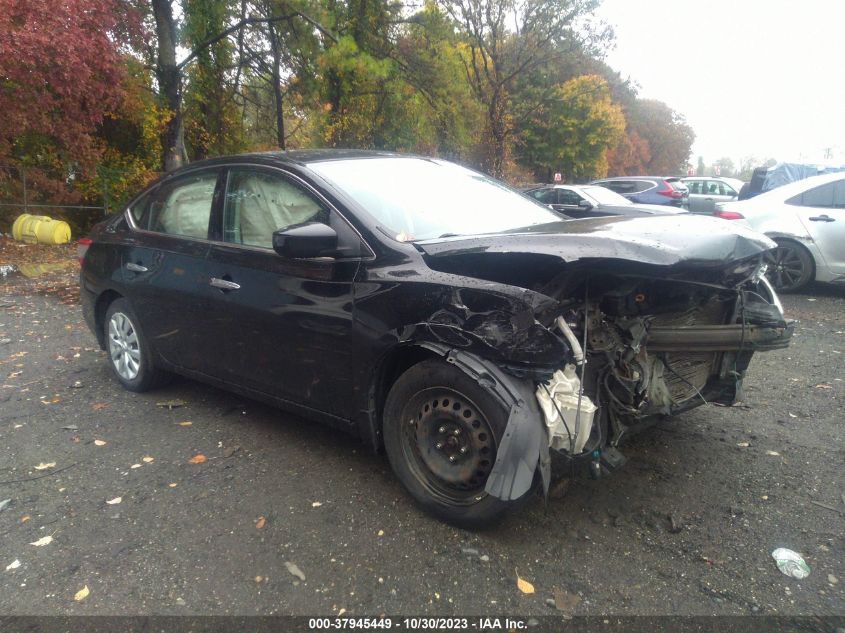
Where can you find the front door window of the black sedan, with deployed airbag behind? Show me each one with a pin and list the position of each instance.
(258, 203)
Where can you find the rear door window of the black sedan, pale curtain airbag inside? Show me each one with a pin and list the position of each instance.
(182, 207)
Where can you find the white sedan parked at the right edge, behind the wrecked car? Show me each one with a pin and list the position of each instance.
(807, 220)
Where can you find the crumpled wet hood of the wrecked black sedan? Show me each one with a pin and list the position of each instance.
(664, 240)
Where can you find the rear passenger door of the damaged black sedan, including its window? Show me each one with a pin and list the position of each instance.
(164, 266)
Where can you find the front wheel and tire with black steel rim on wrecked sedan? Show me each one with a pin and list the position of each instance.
(432, 412)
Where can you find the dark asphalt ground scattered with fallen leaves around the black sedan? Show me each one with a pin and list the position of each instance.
(283, 516)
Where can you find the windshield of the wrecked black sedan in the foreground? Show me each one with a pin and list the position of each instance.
(421, 199)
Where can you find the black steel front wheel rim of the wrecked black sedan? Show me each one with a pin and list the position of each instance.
(448, 445)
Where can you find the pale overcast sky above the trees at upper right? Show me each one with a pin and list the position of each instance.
(752, 77)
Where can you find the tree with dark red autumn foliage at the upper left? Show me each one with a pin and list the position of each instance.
(60, 73)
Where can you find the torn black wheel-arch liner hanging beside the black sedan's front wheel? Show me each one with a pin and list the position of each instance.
(525, 444)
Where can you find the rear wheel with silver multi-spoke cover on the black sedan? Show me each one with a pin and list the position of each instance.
(129, 354)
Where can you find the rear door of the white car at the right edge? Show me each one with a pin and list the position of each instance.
(822, 212)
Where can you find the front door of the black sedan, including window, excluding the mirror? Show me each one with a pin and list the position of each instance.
(287, 322)
